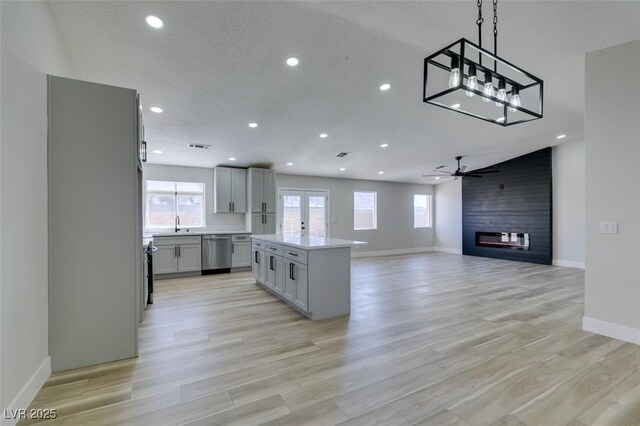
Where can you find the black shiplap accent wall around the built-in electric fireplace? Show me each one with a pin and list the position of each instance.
(523, 205)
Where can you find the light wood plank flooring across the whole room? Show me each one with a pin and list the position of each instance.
(433, 339)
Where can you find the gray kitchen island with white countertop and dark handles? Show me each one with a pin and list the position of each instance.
(311, 274)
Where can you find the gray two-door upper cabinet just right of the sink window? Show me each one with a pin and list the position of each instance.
(230, 190)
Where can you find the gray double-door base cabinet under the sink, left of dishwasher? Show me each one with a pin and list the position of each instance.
(177, 255)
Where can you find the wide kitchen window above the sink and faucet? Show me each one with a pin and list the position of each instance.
(167, 200)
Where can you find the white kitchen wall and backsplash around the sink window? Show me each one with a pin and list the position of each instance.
(233, 221)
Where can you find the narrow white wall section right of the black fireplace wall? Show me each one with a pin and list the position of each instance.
(569, 204)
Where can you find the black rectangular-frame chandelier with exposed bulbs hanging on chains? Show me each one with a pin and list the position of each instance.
(454, 70)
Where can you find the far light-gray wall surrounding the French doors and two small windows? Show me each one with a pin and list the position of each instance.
(395, 211)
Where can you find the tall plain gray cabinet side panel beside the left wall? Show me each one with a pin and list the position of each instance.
(95, 232)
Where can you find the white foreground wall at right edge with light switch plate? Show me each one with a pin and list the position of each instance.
(612, 146)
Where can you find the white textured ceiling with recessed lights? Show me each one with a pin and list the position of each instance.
(216, 66)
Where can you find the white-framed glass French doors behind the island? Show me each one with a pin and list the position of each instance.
(304, 213)
